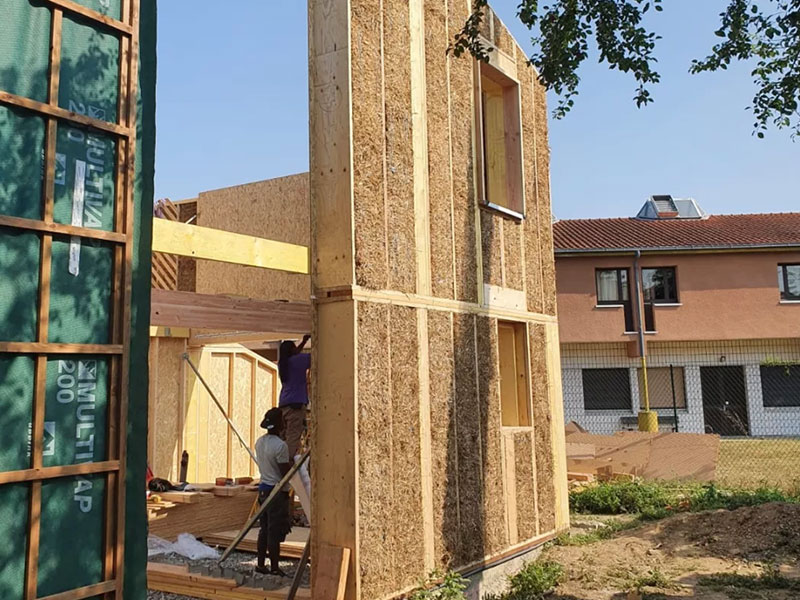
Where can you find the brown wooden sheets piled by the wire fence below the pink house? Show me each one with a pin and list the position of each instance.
(628, 454)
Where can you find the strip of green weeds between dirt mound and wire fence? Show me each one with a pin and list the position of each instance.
(655, 500)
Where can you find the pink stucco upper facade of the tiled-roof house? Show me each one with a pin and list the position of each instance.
(722, 296)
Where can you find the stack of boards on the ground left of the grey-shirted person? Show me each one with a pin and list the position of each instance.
(200, 513)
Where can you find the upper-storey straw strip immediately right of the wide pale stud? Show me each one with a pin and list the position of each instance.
(439, 182)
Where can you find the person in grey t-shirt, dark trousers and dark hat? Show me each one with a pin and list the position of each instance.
(273, 463)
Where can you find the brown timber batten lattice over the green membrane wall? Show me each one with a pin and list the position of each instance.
(118, 350)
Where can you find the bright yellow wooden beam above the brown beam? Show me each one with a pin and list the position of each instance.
(172, 237)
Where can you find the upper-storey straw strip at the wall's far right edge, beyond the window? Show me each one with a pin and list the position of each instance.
(545, 213)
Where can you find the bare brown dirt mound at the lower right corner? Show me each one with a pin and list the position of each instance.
(673, 555)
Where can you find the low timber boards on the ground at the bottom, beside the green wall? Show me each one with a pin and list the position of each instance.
(176, 579)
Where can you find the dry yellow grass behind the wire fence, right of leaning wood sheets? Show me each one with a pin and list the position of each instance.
(758, 463)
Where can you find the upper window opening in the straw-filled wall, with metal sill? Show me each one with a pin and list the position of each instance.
(499, 130)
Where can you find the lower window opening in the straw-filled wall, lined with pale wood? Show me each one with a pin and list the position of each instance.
(514, 397)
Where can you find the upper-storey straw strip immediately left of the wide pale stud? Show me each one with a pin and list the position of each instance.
(399, 148)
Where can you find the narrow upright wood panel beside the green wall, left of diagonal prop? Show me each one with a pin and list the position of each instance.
(167, 404)
